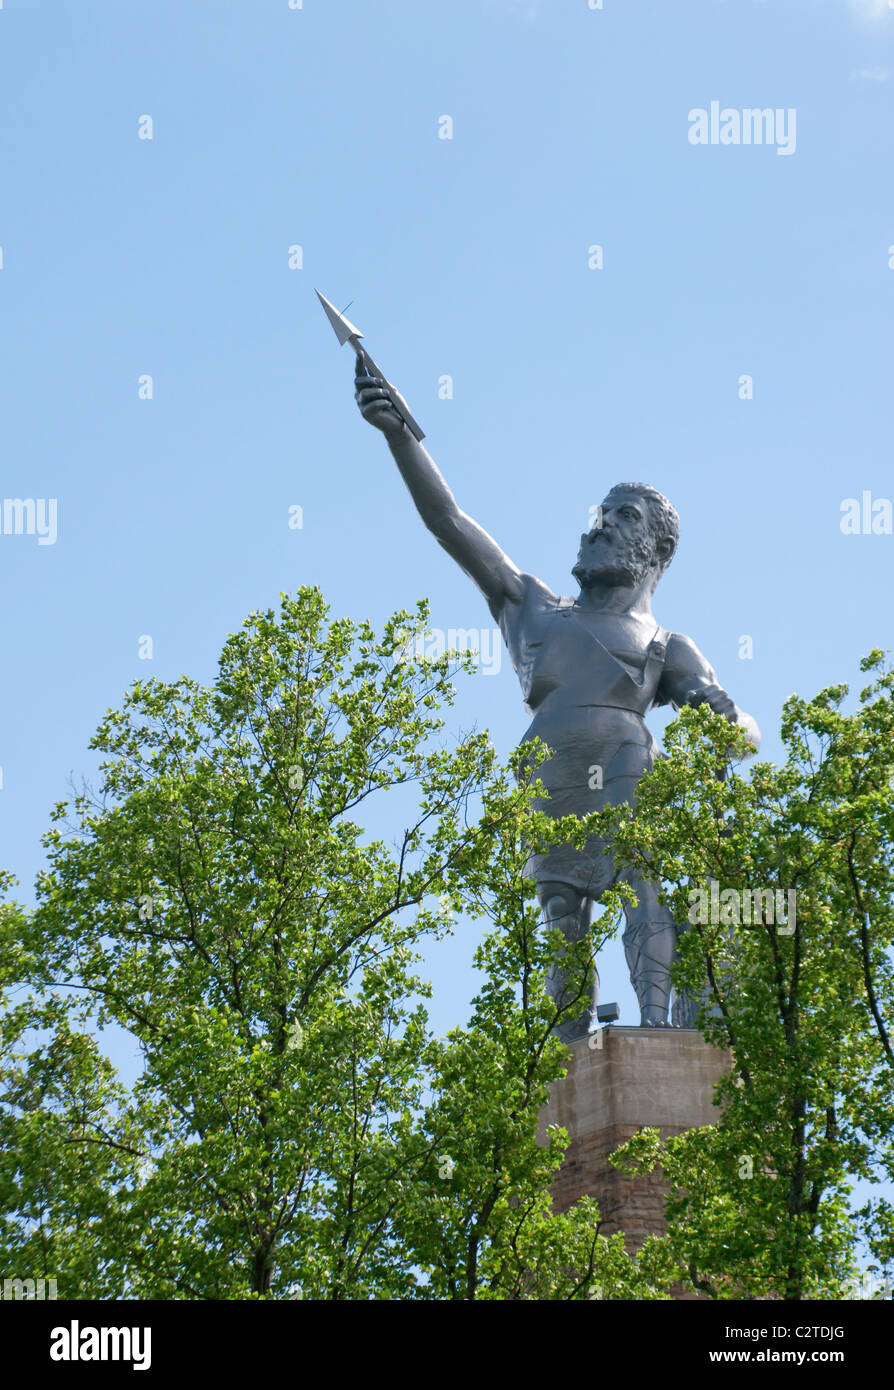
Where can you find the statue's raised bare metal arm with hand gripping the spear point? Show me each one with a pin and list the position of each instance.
(469, 544)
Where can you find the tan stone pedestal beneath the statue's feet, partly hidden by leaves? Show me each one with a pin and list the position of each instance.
(656, 1078)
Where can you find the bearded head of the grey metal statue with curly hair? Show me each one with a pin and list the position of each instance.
(633, 539)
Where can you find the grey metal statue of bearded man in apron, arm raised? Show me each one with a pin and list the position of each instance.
(590, 669)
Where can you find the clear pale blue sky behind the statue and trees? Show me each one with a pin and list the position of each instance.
(319, 127)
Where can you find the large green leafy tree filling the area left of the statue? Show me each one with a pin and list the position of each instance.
(295, 1129)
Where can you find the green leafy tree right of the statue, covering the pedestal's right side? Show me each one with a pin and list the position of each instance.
(802, 999)
